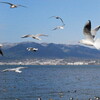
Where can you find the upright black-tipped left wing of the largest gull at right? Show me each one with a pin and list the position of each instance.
(87, 31)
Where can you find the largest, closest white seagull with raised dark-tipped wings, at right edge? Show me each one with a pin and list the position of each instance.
(89, 36)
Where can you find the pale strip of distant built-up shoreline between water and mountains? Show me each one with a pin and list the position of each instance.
(51, 62)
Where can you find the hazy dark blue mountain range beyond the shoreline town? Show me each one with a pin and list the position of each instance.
(18, 51)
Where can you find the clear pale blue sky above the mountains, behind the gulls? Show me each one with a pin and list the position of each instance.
(34, 19)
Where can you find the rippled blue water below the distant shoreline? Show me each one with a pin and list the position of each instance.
(56, 82)
